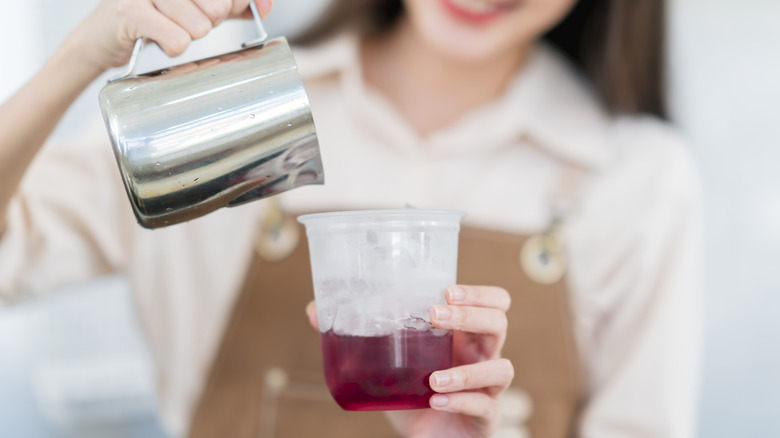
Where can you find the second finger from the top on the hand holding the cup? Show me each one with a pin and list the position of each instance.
(478, 320)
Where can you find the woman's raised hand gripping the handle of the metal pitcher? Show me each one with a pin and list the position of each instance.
(106, 37)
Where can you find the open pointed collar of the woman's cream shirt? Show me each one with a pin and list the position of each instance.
(548, 104)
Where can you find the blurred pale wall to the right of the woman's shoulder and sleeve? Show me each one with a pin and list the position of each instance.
(726, 72)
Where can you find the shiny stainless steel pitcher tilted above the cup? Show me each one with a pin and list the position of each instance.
(218, 132)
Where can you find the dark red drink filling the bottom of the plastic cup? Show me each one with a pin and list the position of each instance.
(384, 373)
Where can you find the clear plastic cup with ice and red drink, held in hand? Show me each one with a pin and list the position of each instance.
(376, 273)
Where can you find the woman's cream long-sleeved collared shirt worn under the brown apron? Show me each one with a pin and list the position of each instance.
(631, 236)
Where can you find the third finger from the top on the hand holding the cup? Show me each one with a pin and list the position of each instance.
(492, 375)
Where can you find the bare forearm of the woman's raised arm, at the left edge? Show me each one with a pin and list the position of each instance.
(31, 114)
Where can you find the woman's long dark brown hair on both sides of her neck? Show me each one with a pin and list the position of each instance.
(618, 44)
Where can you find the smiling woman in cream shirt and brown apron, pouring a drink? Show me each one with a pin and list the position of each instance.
(454, 104)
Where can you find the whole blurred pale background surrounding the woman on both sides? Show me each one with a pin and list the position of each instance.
(73, 364)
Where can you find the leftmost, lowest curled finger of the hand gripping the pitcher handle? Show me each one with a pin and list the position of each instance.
(152, 24)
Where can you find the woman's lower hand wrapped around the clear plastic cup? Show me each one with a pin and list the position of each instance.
(466, 405)
